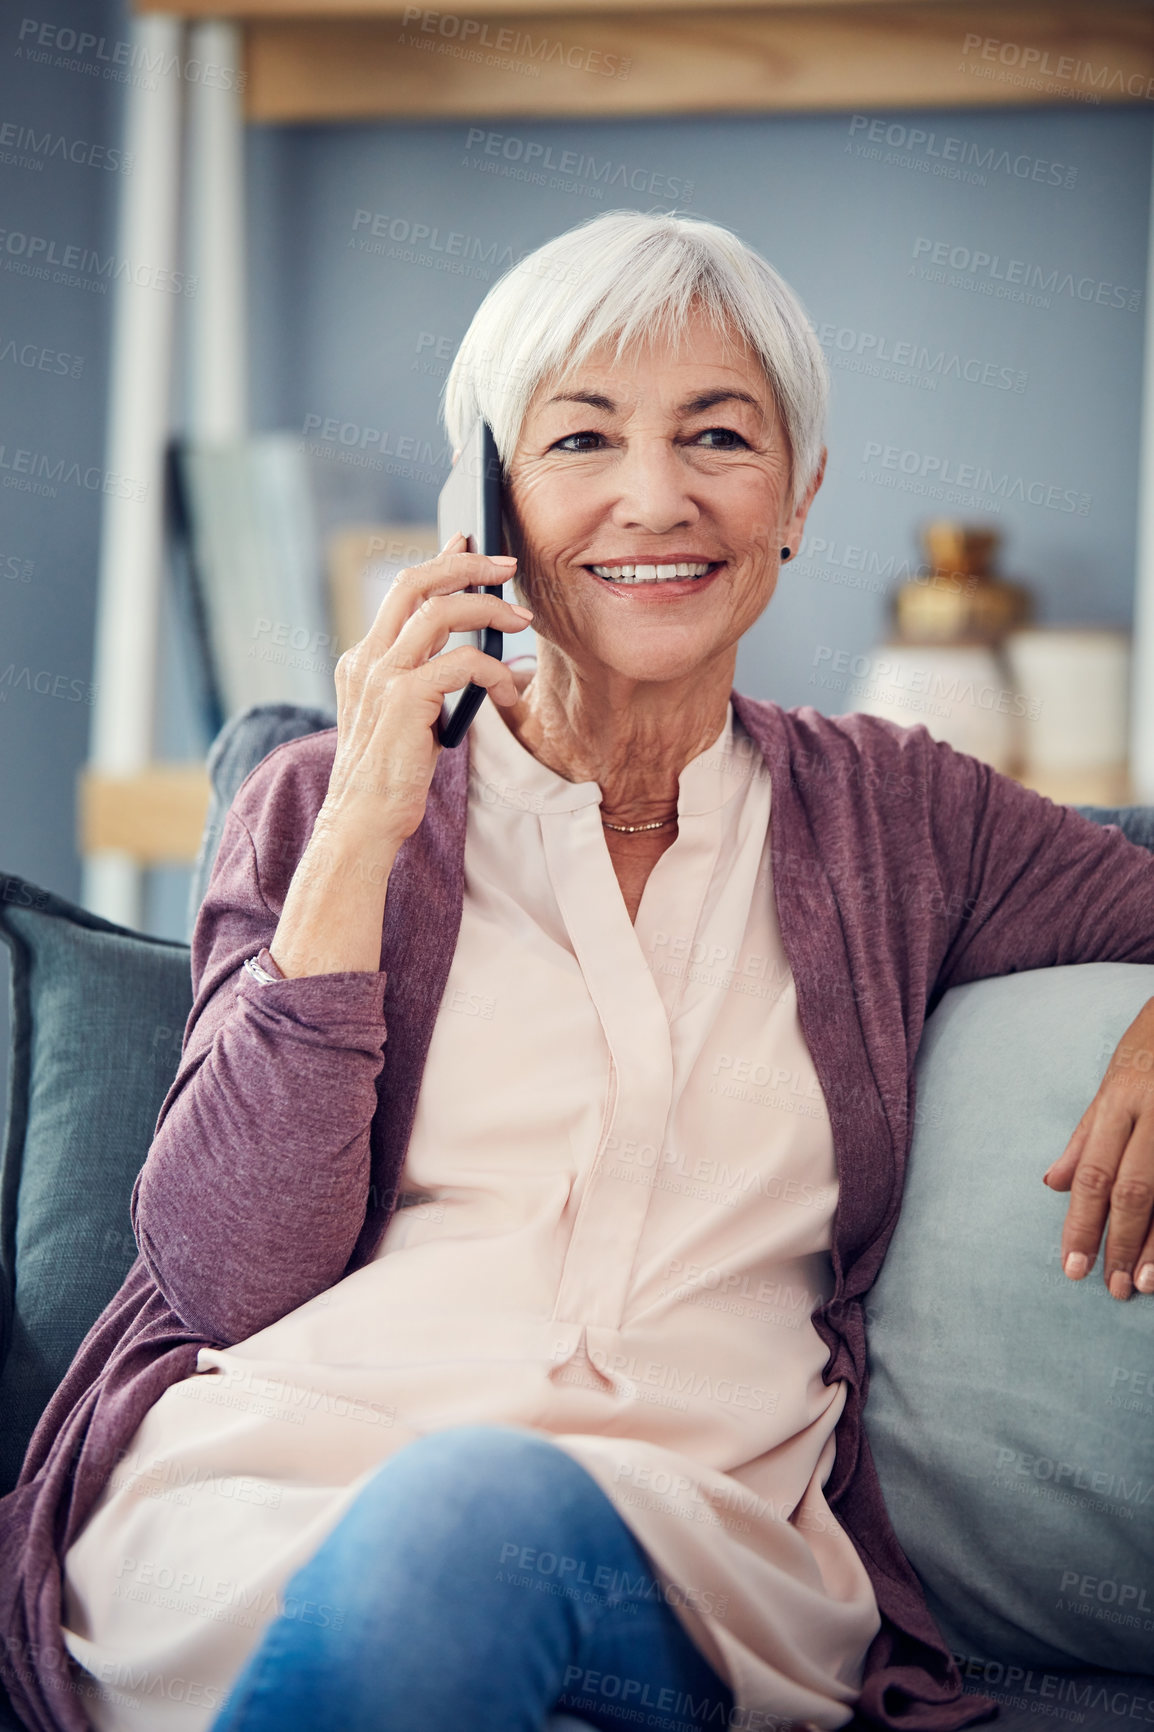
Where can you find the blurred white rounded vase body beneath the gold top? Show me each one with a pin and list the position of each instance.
(959, 692)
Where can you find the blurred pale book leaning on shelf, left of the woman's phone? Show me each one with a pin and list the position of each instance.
(256, 571)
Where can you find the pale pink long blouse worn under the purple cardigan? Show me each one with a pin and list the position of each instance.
(621, 1144)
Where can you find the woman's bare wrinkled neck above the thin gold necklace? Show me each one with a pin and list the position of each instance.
(630, 737)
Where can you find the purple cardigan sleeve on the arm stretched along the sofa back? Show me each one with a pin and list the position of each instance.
(1025, 882)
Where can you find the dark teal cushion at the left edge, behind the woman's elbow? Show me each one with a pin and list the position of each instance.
(98, 1021)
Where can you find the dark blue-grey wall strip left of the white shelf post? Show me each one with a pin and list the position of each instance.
(60, 132)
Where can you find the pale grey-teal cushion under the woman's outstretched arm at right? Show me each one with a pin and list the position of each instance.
(1011, 1411)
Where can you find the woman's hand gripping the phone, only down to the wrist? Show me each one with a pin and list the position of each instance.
(391, 688)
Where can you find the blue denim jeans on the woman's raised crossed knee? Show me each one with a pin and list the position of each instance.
(479, 1584)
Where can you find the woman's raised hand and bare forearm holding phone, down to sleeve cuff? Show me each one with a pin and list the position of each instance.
(389, 695)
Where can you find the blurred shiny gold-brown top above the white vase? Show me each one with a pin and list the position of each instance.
(959, 600)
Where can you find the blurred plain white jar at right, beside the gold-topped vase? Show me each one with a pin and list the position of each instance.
(1079, 685)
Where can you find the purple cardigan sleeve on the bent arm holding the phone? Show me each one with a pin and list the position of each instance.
(257, 1180)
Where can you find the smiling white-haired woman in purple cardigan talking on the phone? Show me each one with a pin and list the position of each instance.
(496, 1340)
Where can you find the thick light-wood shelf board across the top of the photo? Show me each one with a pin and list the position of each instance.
(696, 61)
